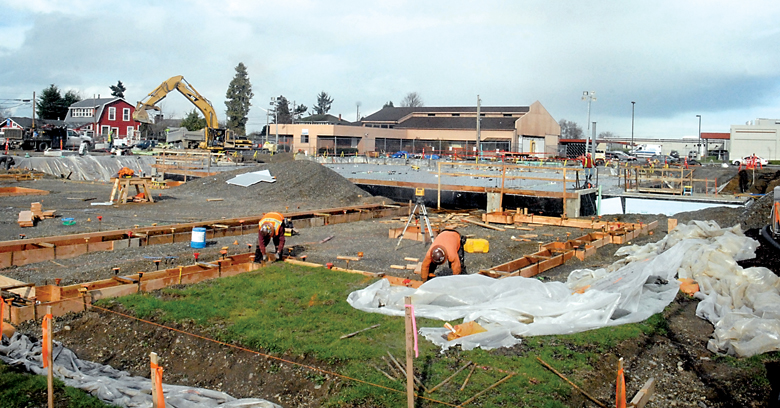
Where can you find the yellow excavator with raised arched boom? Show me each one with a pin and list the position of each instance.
(215, 138)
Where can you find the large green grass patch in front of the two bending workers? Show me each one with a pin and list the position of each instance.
(301, 311)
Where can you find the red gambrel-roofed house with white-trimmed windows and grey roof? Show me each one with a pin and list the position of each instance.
(103, 116)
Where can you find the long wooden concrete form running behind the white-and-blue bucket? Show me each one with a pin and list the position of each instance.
(27, 251)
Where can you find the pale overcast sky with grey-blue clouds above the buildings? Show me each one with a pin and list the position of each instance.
(675, 59)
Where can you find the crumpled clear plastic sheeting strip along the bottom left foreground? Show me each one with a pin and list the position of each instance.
(111, 385)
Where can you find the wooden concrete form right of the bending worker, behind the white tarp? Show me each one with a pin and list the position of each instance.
(556, 253)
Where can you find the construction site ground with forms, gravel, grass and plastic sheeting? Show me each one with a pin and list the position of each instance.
(568, 293)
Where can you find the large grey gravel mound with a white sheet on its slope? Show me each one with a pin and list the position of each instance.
(300, 183)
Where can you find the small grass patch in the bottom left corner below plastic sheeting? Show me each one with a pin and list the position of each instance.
(27, 390)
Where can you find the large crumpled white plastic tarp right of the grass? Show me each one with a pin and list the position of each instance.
(628, 291)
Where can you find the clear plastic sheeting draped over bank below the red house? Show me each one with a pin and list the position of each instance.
(89, 168)
